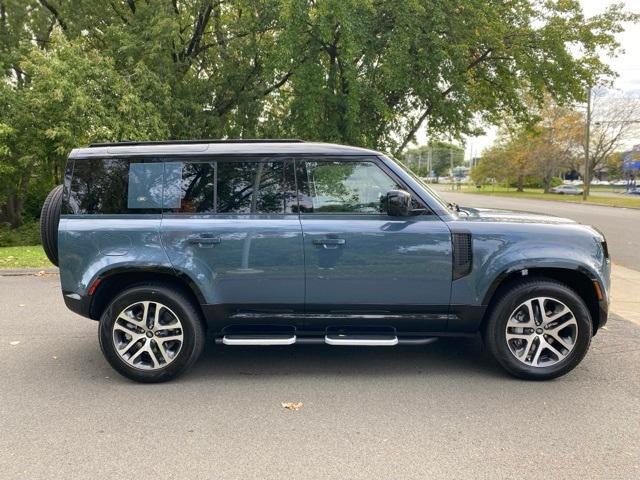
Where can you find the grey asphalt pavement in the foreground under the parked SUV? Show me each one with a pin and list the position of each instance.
(442, 411)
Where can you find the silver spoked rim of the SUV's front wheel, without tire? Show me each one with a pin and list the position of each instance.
(541, 332)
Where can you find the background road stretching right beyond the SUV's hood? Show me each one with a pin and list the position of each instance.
(621, 226)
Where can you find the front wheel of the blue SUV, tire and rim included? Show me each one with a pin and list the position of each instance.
(540, 329)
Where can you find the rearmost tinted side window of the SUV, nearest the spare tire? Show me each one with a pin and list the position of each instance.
(115, 185)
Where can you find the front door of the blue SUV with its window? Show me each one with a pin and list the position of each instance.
(363, 264)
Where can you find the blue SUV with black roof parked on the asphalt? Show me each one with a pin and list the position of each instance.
(280, 242)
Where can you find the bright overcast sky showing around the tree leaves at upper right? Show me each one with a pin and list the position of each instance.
(627, 64)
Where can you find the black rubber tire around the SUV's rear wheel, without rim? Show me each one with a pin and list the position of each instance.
(183, 307)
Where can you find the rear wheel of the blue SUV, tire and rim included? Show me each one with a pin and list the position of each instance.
(151, 333)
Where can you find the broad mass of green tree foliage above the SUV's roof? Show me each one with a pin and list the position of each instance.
(368, 73)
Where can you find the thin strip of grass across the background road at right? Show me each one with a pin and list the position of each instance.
(537, 194)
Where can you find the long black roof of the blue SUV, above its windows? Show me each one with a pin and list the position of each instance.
(218, 147)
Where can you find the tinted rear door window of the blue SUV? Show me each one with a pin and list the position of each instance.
(236, 187)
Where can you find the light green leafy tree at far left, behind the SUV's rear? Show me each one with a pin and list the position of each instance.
(70, 97)
